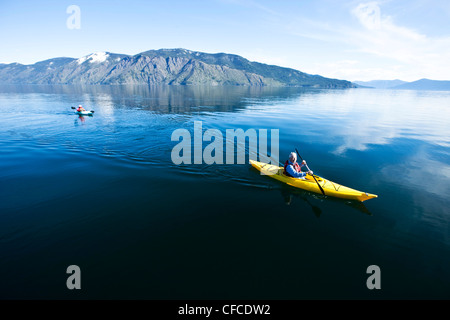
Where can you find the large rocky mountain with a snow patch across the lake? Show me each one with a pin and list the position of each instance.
(164, 66)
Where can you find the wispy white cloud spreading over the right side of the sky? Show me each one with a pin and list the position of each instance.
(383, 48)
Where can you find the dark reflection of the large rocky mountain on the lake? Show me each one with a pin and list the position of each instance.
(162, 99)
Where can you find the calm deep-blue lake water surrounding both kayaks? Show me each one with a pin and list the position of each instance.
(102, 193)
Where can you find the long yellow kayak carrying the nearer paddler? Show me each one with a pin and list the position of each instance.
(329, 187)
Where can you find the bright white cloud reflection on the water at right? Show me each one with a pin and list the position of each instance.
(357, 119)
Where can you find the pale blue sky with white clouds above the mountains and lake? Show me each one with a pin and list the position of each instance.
(348, 39)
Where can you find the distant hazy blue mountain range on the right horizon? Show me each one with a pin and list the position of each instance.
(422, 84)
